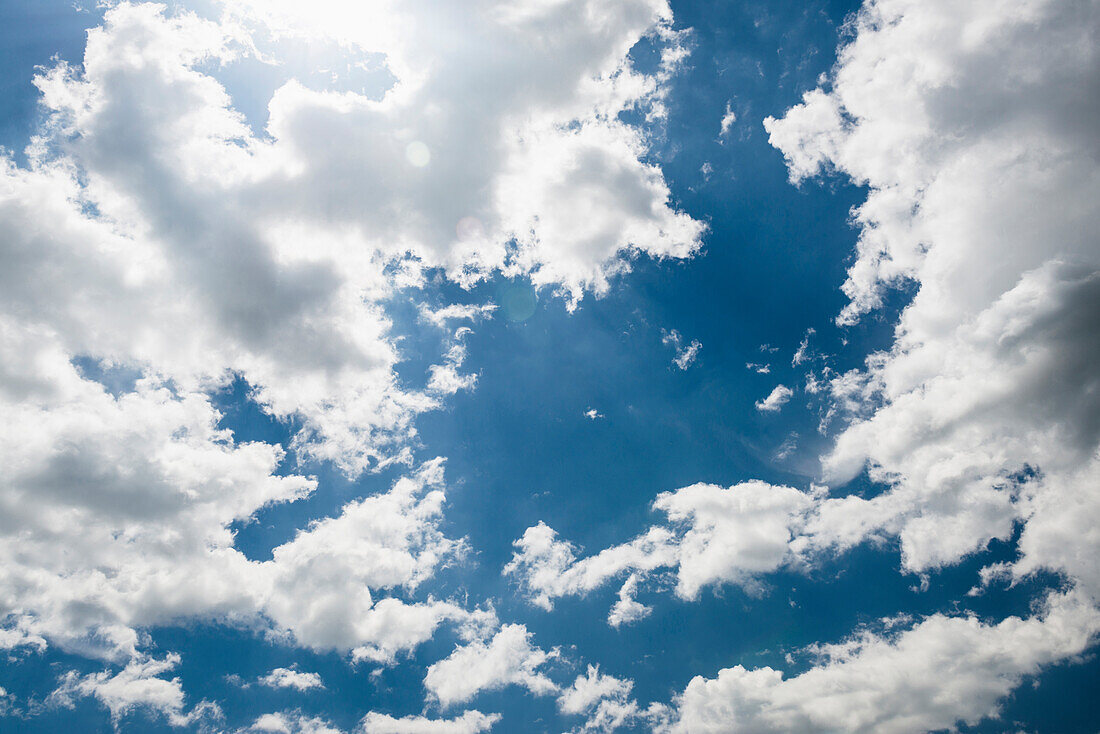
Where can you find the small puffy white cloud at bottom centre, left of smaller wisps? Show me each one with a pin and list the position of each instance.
(509, 660)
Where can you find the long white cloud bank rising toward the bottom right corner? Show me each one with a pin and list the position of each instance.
(931, 677)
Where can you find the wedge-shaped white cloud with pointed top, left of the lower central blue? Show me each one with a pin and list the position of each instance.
(324, 583)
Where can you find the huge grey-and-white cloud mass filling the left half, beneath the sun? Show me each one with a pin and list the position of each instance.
(159, 248)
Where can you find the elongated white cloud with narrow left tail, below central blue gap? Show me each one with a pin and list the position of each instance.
(714, 535)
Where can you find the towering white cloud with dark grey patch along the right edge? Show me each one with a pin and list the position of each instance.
(969, 135)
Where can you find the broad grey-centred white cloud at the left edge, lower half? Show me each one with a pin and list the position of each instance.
(119, 509)
